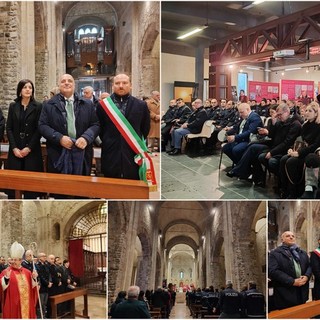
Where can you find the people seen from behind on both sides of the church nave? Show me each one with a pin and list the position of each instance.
(206, 302)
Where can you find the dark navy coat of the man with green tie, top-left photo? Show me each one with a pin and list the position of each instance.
(53, 125)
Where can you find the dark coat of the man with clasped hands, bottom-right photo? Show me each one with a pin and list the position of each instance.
(282, 273)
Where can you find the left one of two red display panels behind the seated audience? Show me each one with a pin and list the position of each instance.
(259, 90)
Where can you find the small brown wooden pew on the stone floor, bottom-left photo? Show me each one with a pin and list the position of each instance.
(59, 298)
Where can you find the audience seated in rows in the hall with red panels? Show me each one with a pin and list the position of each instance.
(263, 138)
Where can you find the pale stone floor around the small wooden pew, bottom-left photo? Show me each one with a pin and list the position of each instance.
(96, 306)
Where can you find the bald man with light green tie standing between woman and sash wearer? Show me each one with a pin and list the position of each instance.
(69, 122)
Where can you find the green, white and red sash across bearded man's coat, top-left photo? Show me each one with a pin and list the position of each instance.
(142, 157)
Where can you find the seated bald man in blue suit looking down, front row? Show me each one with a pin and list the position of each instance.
(239, 135)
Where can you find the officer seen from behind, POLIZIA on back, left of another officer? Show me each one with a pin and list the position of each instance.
(229, 303)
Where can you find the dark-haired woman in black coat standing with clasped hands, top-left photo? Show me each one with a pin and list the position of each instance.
(22, 132)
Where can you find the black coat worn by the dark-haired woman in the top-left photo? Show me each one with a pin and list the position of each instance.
(17, 129)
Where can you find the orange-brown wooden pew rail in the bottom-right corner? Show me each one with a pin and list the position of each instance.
(302, 311)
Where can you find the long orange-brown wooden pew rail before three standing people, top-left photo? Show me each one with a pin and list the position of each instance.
(73, 185)
